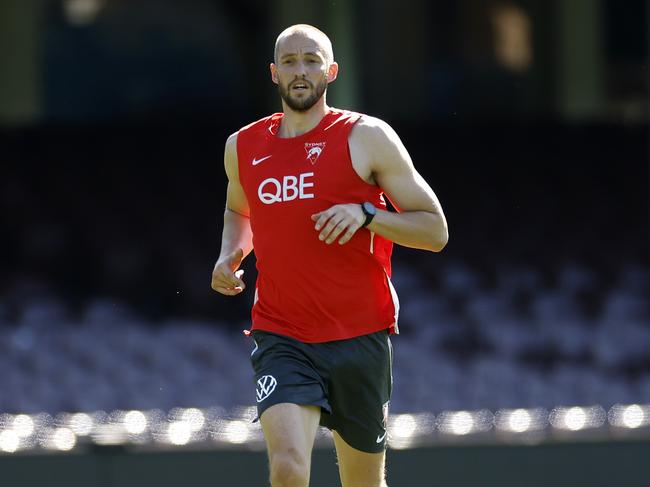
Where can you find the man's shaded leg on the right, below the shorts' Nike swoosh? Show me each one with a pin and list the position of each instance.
(358, 468)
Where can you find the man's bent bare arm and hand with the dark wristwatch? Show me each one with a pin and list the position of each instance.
(420, 222)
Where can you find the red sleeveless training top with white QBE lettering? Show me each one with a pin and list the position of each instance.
(307, 289)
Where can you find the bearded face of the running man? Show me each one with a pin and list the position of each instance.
(301, 72)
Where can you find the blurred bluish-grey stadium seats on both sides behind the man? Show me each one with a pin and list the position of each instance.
(464, 345)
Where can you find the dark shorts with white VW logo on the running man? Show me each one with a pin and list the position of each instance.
(351, 380)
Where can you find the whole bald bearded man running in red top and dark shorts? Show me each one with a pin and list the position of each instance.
(306, 191)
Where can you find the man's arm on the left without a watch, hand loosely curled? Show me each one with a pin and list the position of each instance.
(237, 238)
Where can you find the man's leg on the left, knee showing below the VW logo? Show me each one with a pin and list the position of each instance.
(290, 430)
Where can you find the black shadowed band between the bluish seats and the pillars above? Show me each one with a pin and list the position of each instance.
(135, 212)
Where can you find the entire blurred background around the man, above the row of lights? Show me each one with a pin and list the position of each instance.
(529, 119)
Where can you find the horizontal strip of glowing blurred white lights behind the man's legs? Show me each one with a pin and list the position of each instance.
(181, 426)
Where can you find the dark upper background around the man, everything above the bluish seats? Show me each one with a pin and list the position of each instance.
(113, 126)
